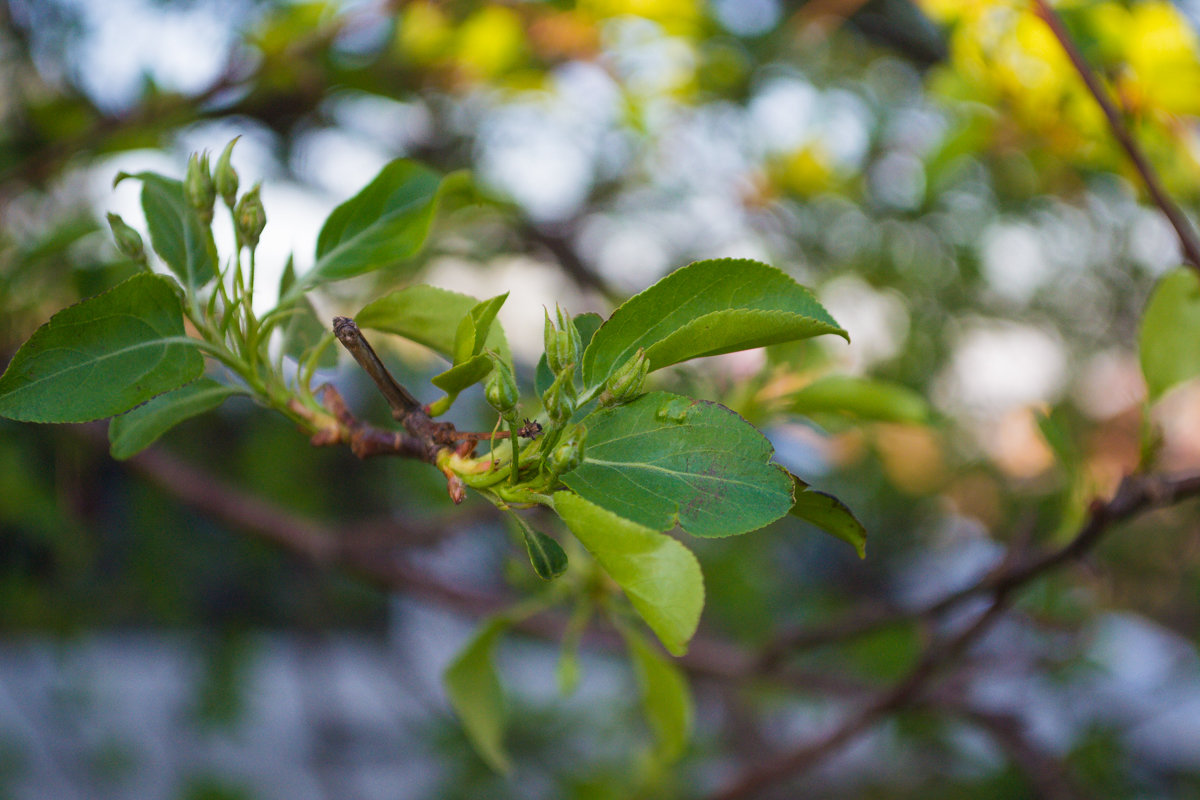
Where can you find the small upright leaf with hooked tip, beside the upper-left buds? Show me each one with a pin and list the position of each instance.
(176, 230)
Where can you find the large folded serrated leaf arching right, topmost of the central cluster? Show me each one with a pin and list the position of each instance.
(707, 309)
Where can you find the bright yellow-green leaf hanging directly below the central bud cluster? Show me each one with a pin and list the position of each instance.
(658, 574)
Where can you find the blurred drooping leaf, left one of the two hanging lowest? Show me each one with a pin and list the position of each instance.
(475, 691)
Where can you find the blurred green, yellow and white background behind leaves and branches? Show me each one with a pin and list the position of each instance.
(934, 171)
